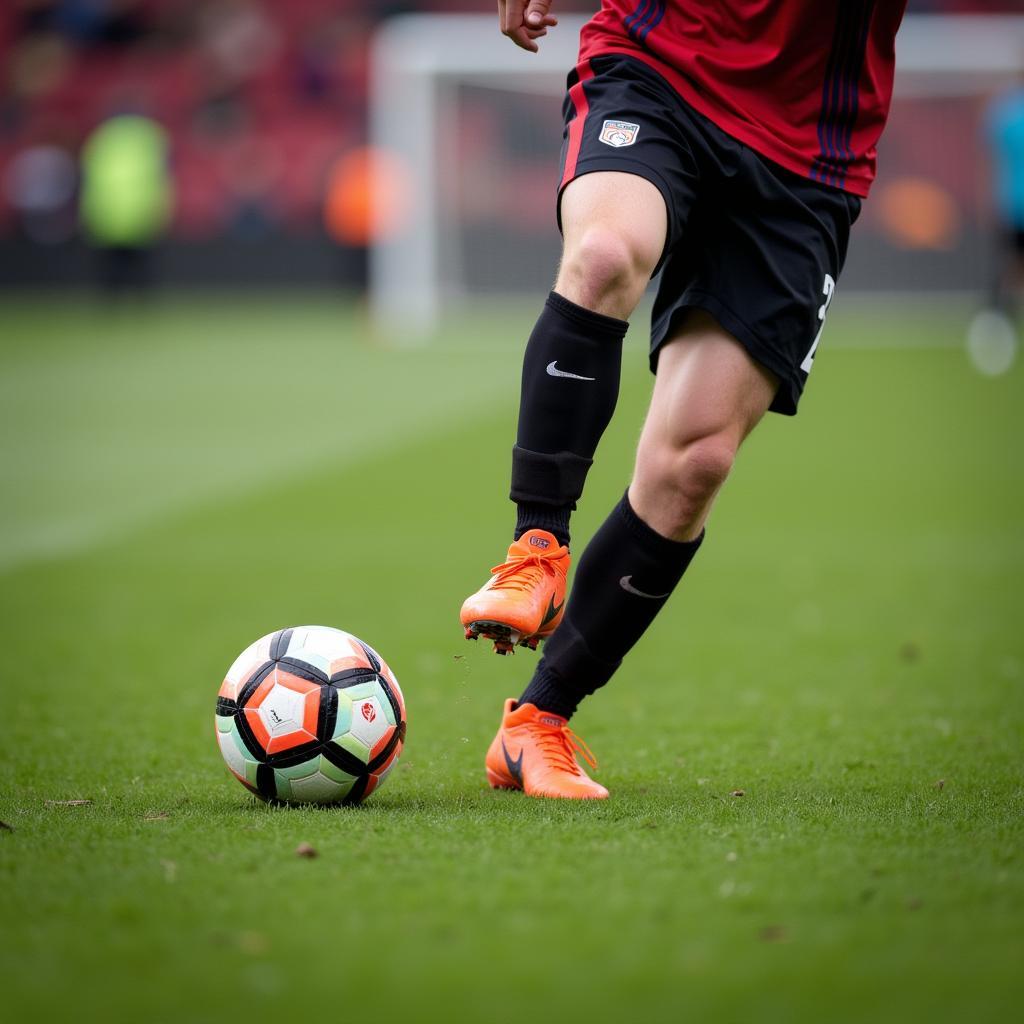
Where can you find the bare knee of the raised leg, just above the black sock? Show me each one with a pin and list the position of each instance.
(606, 271)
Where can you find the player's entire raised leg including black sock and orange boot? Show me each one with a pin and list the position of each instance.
(615, 227)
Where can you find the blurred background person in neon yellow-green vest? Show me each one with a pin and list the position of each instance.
(127, 197)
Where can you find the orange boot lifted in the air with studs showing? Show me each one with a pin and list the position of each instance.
(523, 602)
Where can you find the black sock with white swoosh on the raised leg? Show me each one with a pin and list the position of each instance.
(570, 388)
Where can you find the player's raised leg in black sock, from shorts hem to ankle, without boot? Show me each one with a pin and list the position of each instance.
(615, 228)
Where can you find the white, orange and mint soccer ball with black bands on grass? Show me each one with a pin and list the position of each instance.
(311, 715)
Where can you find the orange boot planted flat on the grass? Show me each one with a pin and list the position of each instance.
(535, 751)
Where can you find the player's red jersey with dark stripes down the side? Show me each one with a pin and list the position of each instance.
(805, 83)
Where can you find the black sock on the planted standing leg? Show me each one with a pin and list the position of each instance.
(625, 577)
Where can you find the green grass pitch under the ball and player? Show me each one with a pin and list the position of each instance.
(847, 653)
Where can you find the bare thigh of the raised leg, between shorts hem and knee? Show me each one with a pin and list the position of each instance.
(616, 209)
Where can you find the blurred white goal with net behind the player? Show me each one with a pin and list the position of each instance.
(477, 124)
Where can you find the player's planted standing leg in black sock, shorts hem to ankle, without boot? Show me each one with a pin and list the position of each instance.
(708, 397)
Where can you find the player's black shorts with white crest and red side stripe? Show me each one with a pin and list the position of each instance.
(758, 247)
